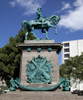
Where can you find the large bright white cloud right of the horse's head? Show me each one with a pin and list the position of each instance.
(73, 20)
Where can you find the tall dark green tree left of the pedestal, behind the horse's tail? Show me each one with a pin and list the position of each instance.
(10, 56)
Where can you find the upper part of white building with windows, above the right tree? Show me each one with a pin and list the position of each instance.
(71, 49)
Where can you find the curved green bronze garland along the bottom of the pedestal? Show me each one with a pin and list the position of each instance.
(16, 84)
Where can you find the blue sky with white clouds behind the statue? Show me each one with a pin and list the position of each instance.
(13, 12)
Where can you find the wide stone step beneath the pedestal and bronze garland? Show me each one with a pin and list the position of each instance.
(40, 95)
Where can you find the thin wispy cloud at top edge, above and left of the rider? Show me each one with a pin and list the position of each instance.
(30, 6)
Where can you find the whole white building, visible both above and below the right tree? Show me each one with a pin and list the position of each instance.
(71, 49)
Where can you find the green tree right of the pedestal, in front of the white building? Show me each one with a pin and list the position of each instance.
(73, 68)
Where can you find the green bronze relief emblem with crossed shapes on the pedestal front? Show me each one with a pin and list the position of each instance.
(39, 70)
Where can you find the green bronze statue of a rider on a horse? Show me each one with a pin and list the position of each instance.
(42, 23)
